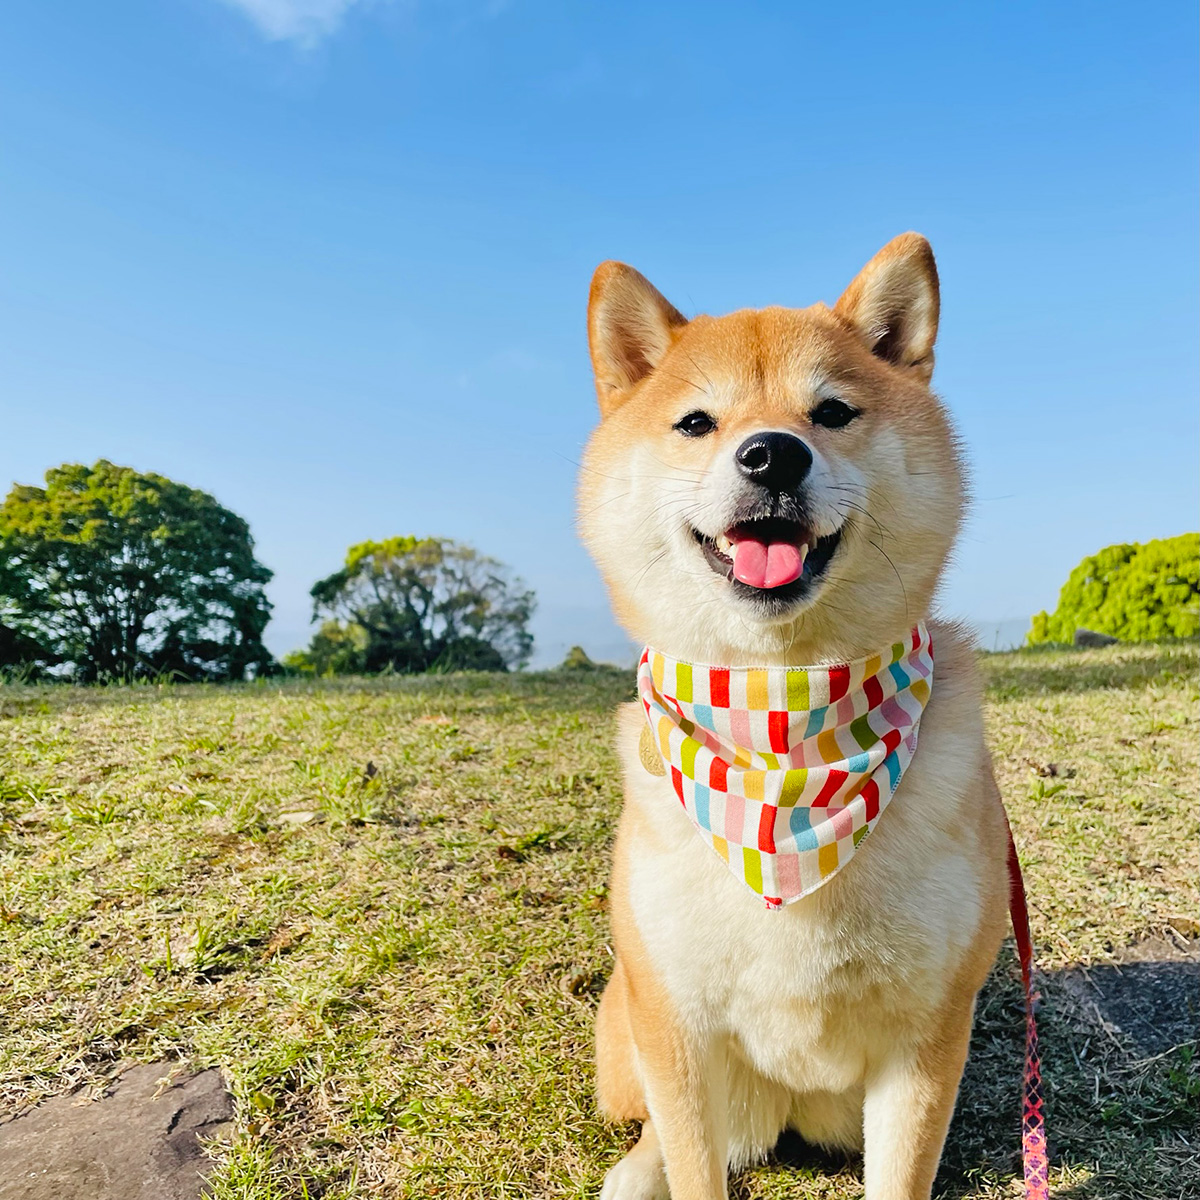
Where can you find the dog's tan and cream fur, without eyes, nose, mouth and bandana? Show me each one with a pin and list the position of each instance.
(845, 1016)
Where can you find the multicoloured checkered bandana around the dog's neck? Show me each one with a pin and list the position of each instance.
(784, 771)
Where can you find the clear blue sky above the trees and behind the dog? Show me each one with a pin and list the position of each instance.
(329, 260)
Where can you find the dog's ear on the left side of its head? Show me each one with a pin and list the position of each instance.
(631, 328)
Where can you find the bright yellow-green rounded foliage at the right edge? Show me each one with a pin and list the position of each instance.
(1137, 593)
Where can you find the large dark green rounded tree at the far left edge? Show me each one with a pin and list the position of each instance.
(119, 575)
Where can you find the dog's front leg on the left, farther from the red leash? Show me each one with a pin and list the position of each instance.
(686, 1096)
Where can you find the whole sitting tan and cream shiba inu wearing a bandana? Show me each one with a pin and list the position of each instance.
(773, 490)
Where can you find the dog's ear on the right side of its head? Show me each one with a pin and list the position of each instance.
(893, 304)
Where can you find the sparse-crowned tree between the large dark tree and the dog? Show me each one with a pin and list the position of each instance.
(419, 604)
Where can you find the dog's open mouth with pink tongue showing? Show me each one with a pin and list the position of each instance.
(772, 557)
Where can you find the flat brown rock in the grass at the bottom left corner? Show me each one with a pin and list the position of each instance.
(128, 1145)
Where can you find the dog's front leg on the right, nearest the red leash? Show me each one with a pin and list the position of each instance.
(910, 1101)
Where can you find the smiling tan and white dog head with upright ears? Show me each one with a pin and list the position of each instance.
(777, 485)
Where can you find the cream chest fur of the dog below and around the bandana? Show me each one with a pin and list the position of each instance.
(807, 993)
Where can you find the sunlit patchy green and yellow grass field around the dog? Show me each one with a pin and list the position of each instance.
(380, 907)
